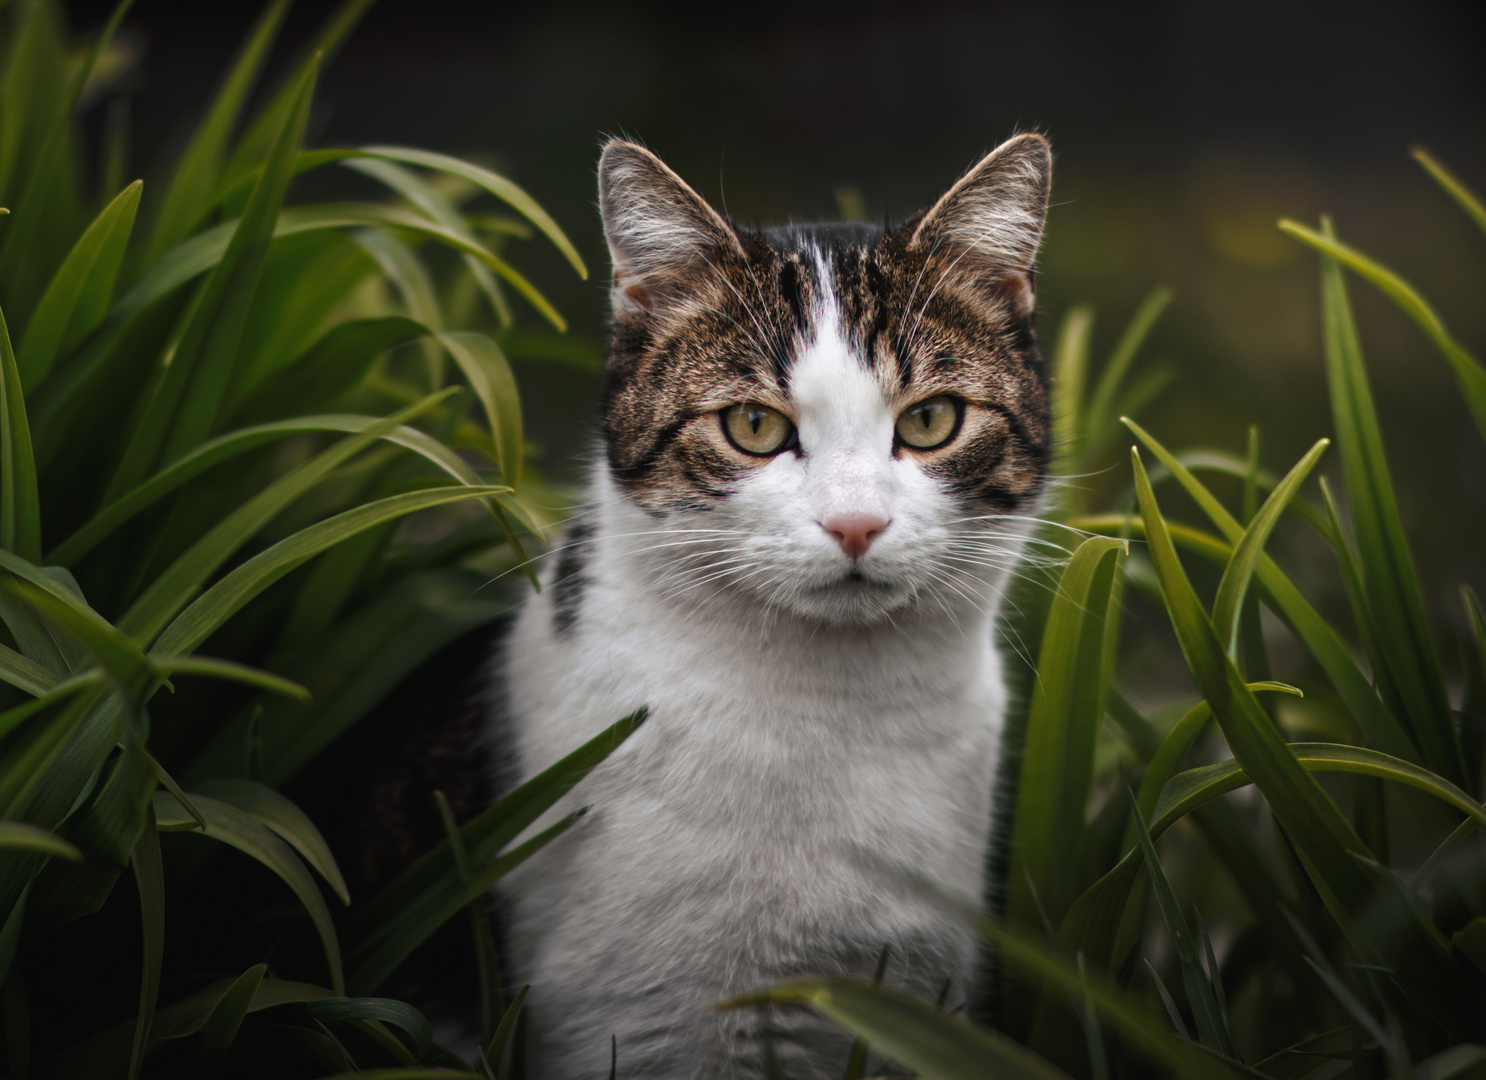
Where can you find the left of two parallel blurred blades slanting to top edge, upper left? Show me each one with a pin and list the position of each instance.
(195, 179)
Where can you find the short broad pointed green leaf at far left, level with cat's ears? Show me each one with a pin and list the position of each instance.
(80, 293)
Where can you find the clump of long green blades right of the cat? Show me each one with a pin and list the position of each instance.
(1356, 908)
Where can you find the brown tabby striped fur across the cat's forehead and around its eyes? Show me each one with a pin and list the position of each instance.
(921, 319)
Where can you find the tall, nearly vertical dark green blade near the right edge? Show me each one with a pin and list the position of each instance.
(1389, 574)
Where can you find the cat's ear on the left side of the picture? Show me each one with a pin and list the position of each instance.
(662, 234)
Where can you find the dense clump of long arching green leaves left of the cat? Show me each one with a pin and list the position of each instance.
(218, 415)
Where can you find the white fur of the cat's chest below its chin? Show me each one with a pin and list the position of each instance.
(741, 836)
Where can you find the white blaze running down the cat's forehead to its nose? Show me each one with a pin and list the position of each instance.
(846, 427)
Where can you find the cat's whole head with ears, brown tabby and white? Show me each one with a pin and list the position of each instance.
(840, 423)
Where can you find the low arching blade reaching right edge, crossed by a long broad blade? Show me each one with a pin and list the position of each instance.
(1191, 790)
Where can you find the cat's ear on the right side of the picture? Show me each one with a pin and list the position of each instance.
(993, 218)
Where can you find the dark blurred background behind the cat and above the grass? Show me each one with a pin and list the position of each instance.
(1182, 131)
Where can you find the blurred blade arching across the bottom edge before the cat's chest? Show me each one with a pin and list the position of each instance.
(934, 1044)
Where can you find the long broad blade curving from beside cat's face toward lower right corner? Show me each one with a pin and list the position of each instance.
(1353, 886)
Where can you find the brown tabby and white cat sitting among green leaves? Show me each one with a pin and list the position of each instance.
(823, 449)
